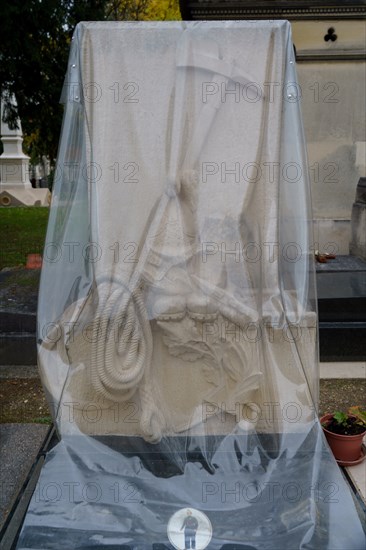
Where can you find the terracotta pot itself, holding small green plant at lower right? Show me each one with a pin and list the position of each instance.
(346, 448)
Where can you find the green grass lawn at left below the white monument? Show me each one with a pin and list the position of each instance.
(23, 231)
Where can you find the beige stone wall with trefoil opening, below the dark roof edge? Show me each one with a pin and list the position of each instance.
(332, 75)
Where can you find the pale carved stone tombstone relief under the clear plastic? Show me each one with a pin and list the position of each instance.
(188, 336)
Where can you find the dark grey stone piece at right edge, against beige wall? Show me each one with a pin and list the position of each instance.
(358, 221)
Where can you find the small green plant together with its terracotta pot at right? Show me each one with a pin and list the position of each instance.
(344, 433)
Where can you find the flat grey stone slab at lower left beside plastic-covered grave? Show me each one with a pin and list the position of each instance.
(19, 446)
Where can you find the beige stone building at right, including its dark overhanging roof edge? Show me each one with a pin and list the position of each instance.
(330, 41)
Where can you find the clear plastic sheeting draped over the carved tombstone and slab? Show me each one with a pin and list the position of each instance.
(177, 332)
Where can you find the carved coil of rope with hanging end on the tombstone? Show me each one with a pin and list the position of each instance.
(122, 347)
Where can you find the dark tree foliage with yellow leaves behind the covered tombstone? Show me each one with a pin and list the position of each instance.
(34, 48)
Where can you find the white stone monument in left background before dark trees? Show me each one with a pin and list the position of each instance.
(15, 187)
